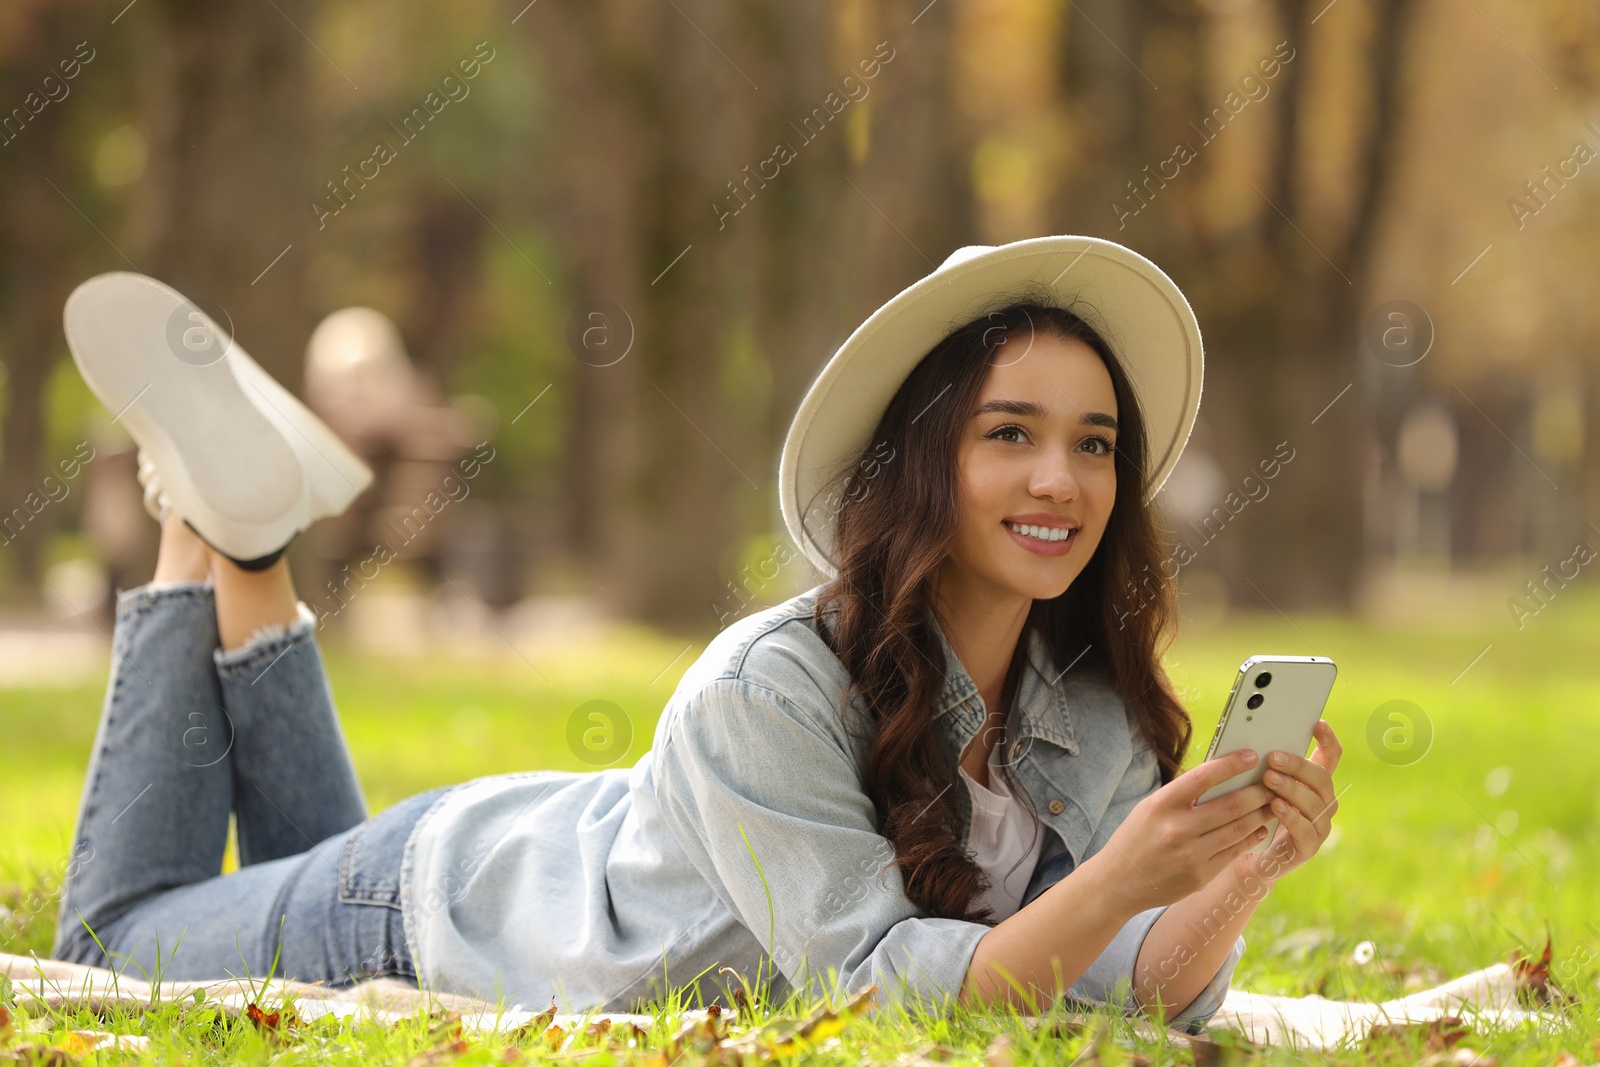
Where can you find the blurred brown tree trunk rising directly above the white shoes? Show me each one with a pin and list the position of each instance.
(225, 212)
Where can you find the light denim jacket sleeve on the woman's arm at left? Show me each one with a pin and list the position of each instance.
(769, 805)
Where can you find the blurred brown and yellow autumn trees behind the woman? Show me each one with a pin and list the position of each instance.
(1380, 164)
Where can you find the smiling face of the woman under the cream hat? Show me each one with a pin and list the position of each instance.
(1036, 471)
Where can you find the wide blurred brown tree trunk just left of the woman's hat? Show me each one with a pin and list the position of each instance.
(652, 476)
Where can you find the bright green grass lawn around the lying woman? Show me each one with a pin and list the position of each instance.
(1446, 866)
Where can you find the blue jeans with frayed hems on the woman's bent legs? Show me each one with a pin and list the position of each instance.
(188, 737)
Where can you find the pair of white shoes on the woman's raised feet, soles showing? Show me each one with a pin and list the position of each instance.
(231, 452)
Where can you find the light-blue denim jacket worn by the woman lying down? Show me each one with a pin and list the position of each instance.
(745, 839)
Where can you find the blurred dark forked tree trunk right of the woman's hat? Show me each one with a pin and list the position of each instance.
(1290, 369)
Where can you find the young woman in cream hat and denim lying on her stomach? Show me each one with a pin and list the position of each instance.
(951, 772)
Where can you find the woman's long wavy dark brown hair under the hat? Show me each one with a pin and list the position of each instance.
(898, 524)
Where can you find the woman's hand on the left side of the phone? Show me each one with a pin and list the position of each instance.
(1169, 845)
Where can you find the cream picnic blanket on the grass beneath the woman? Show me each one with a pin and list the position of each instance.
(1486, 997)
